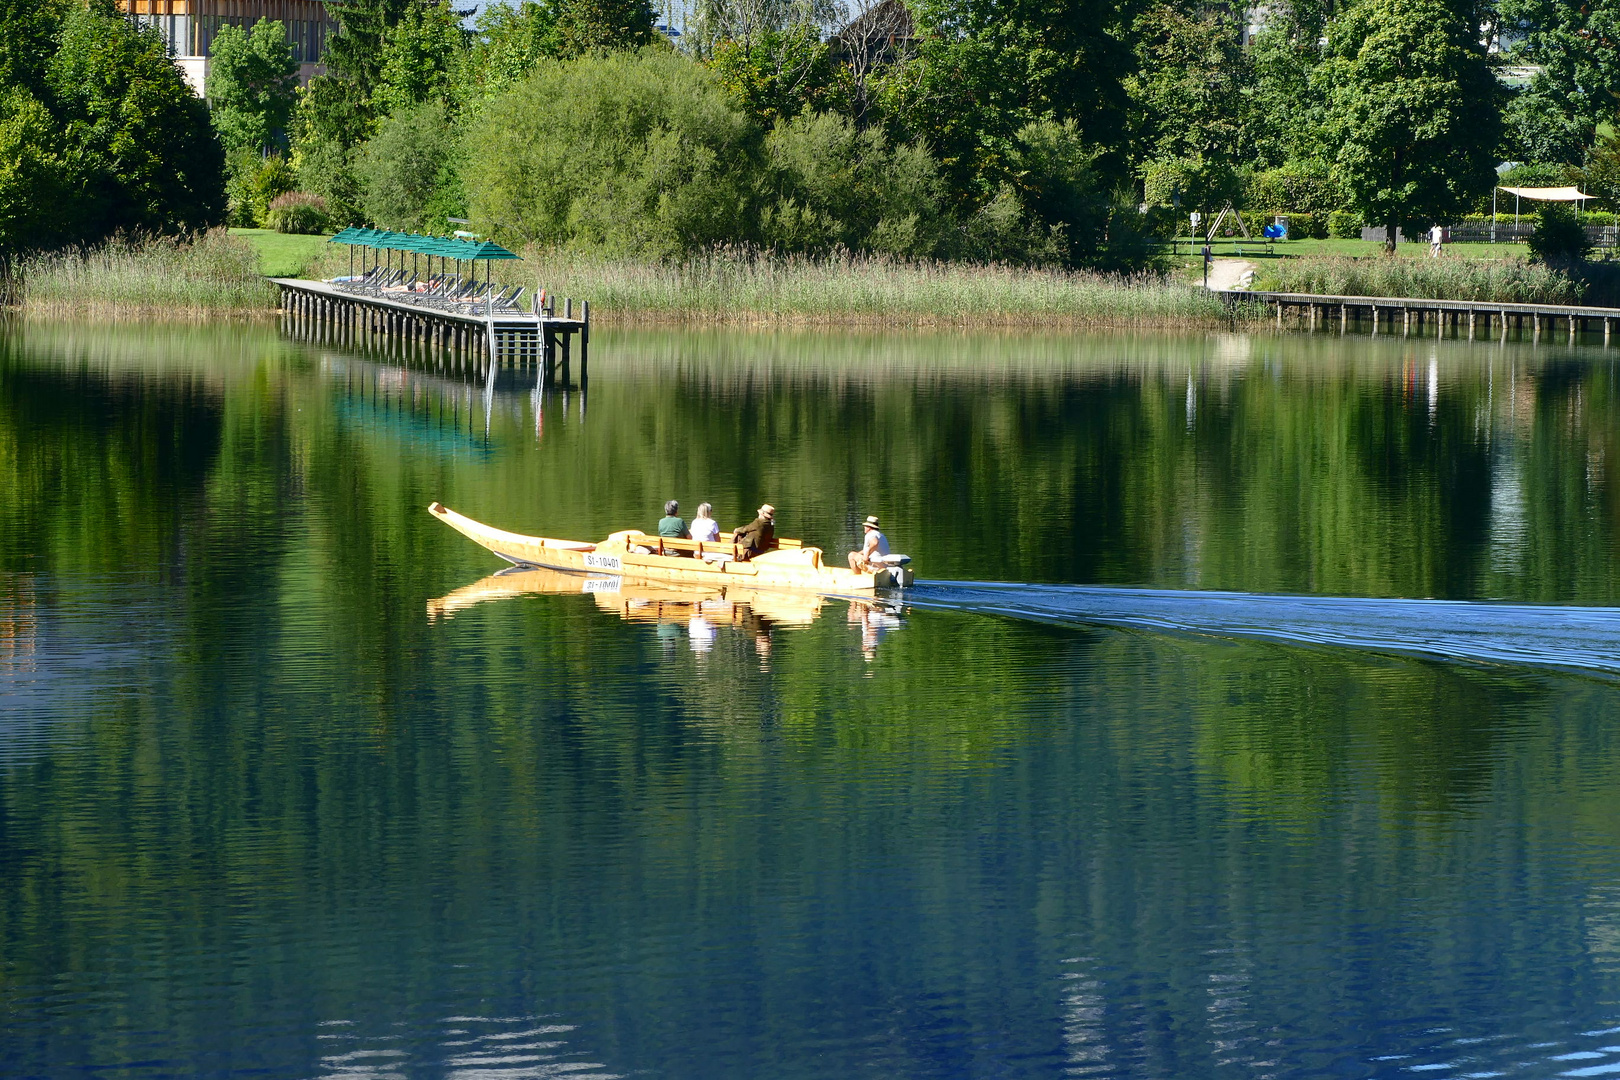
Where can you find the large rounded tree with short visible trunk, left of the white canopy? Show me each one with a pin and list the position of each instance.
(1415, 111)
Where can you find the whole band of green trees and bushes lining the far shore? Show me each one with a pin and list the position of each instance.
(1030, 132)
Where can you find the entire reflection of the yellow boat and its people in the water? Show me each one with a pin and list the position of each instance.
(701, 610)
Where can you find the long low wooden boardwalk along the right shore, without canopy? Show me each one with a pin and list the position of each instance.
(1407, 315)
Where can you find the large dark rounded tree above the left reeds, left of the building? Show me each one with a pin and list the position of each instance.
(147, 148)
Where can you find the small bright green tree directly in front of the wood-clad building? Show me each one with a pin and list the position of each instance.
(252, 85)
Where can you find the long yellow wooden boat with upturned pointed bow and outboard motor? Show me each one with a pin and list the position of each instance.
(636, 555)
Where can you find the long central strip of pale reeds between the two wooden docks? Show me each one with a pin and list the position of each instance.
(756, 287)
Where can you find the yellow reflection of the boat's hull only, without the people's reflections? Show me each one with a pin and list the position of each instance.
(637, 602)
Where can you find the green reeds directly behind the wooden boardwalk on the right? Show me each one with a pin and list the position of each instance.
(1503, 281)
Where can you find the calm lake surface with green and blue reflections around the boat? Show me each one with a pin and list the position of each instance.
(1238, 780)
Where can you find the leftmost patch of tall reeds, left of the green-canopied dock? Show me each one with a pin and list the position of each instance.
(147, 276)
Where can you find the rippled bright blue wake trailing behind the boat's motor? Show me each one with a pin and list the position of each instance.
(1580, 639)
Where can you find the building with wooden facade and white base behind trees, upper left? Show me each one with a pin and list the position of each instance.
(190, 27)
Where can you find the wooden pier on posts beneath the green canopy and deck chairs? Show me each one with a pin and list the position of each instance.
(463, 336)
